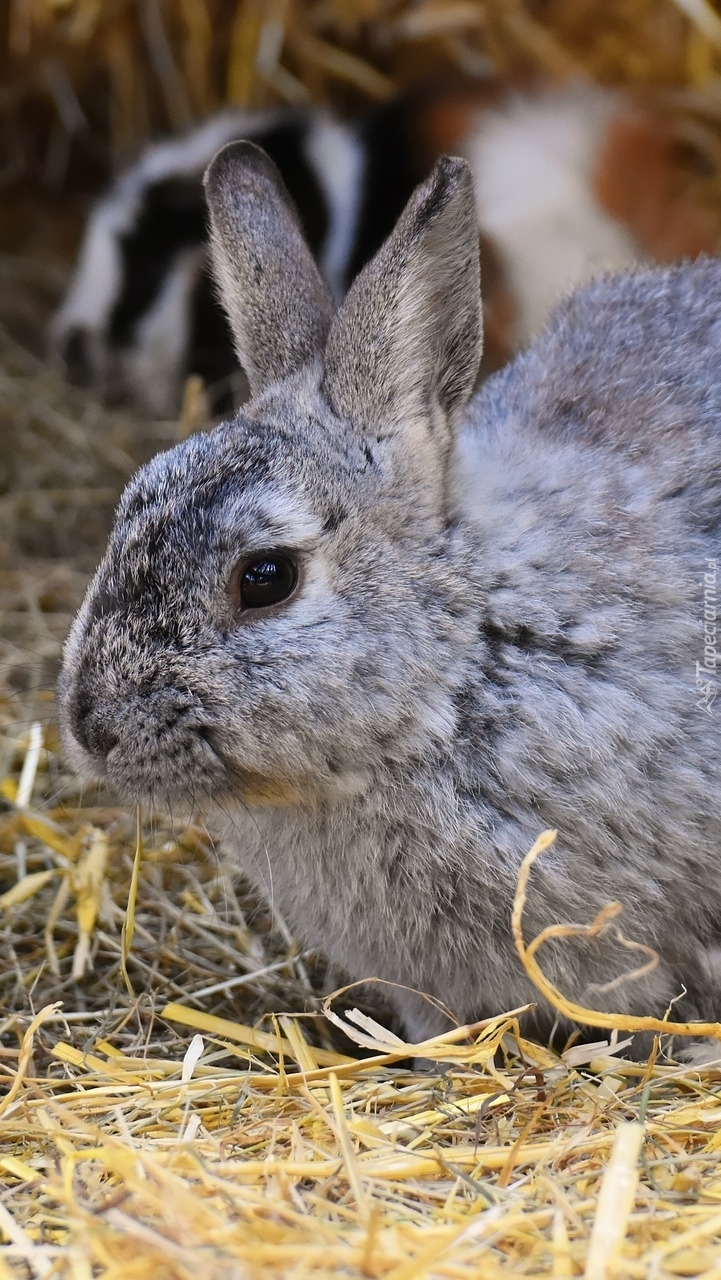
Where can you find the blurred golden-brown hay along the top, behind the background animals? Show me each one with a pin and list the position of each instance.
(84, 84)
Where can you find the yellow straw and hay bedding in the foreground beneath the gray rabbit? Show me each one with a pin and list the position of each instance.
(144, 1136)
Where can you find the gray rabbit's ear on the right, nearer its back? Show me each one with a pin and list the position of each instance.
(408, 340)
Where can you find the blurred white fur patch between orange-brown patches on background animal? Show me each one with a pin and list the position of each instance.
(532, 163)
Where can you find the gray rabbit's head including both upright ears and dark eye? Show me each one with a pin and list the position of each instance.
(275, 619)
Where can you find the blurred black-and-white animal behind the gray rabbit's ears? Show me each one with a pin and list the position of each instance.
(142, 313)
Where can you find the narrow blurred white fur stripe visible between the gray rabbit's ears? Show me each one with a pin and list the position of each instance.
(337, 158)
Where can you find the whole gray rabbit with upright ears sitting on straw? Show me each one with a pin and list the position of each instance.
(390, 633)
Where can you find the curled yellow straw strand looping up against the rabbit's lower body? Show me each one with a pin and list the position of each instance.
(568, 1008)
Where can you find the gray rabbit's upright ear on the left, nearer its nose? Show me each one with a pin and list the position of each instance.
(275, 298)
